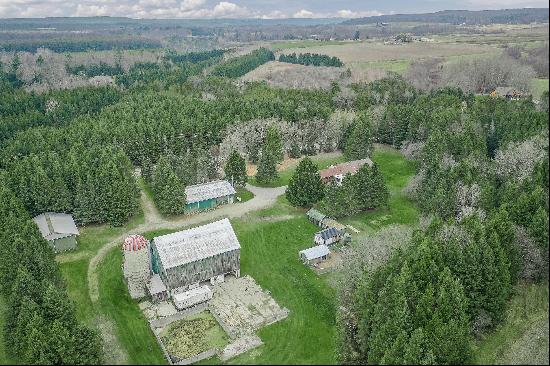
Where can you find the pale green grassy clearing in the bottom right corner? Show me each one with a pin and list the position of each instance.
(523, 337)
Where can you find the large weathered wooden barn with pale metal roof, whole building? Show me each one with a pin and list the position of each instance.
(186, 258)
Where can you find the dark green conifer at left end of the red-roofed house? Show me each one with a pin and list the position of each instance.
(305, 187)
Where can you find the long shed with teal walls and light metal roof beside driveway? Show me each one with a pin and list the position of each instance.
(209, 195)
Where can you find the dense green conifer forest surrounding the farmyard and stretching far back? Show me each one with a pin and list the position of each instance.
(481, 185)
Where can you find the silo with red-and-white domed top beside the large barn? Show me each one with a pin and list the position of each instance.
(136, 264)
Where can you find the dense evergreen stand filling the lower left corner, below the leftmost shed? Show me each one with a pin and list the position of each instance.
(40, 322)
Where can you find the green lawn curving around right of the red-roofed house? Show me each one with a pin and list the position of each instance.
(396, 171)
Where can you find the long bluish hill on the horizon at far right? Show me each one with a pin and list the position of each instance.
(505, 16)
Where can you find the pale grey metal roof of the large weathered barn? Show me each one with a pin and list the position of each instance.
(198, 243)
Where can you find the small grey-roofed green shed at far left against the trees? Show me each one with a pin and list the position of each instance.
(58, 229)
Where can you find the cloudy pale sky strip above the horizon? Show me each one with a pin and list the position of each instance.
(244, 8)
